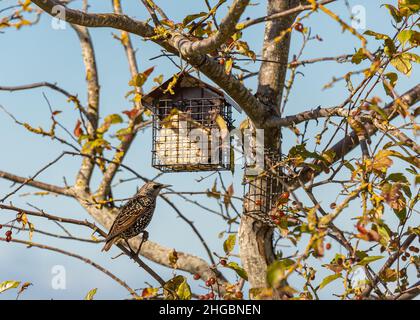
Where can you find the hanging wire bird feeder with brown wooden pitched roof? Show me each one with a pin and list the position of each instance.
(191, 124)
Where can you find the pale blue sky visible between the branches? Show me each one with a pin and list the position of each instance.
(41, 53)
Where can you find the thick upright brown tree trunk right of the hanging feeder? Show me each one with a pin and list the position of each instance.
(255, 239)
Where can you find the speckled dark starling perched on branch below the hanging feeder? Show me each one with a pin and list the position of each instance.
(135, 215)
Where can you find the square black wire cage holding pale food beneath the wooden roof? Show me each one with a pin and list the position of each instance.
(185, 135)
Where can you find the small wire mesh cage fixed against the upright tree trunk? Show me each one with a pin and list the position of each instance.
(262, 191)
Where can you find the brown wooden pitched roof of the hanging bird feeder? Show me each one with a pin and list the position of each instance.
(185, 81)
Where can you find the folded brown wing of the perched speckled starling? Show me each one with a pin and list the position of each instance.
(129, 213)
